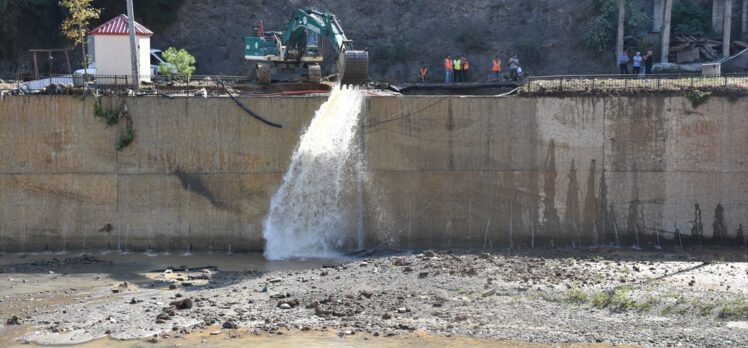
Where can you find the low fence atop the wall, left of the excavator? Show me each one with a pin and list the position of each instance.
(120, 82)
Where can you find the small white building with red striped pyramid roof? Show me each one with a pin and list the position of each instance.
(112, 48)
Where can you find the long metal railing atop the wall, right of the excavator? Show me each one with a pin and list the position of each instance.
(632, 83)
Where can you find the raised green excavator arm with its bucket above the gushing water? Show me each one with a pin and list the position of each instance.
(353, 65)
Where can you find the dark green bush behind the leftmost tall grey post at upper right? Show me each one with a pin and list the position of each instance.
(599, 33)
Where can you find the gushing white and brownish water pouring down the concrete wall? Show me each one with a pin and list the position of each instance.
(315, 213)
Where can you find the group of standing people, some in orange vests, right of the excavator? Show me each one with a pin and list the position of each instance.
(457, 69)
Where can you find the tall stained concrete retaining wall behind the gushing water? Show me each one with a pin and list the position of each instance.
(476, 172)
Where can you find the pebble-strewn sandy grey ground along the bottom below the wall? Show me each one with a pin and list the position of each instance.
(616, 297)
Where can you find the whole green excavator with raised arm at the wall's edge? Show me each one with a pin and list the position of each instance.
(295, 55)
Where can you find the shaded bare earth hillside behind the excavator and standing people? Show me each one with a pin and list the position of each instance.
(399, 34)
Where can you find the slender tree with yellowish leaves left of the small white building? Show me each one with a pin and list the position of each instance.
(75, 26)
